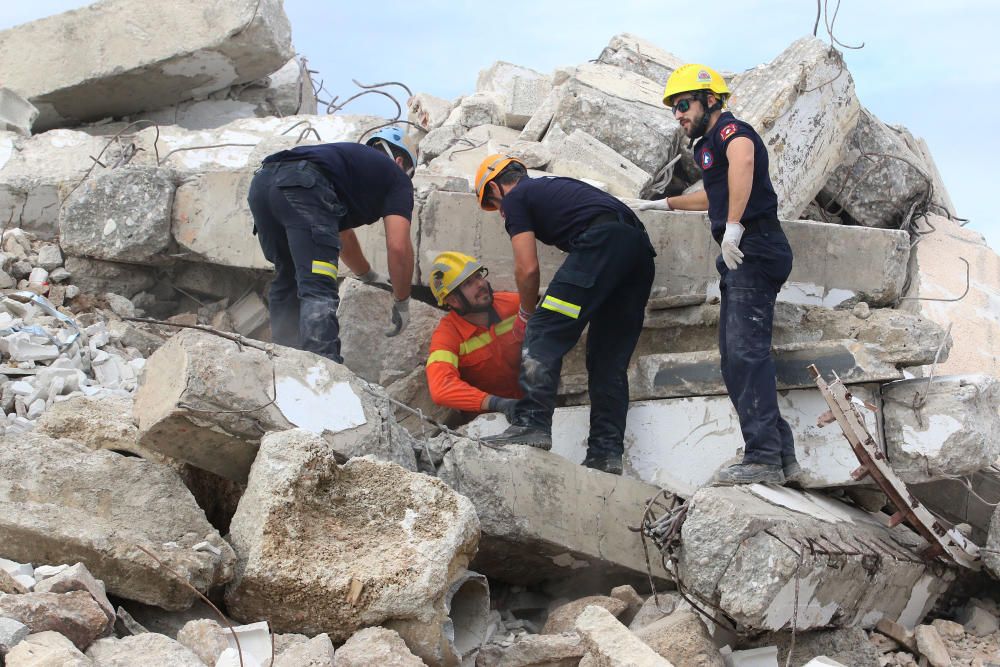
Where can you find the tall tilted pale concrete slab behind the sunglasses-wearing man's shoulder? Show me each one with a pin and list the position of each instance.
(804, 106)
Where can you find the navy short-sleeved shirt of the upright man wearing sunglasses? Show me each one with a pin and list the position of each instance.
(710, 153)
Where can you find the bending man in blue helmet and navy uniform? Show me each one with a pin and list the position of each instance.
(306, 202)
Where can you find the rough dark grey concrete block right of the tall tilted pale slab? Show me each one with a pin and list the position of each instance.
(880, 180)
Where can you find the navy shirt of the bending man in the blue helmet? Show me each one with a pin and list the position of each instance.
(367, 181)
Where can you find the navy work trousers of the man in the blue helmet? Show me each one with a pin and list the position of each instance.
(296, 216)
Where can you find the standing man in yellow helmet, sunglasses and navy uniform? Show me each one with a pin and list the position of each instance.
(754, 263)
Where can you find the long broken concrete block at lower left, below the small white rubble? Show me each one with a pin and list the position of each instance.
(141, 503)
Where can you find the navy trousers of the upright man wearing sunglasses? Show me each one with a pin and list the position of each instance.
(746, 322)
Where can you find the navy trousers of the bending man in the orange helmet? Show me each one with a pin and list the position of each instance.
(604, 282)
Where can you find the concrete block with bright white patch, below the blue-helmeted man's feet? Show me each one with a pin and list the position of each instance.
(206, 401)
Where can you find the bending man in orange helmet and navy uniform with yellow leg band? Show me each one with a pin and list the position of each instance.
(604, 282)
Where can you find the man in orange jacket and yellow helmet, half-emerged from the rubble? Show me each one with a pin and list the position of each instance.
(475, 353)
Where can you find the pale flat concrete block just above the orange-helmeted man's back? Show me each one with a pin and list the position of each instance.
(582, 156)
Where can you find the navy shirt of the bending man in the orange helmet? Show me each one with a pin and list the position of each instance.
(556, 209)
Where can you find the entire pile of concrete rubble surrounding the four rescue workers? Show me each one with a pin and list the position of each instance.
(316, 504)
